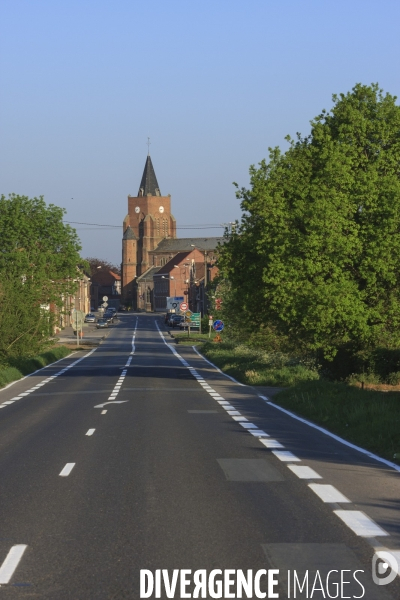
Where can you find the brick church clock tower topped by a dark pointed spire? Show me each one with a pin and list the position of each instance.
(149, 220)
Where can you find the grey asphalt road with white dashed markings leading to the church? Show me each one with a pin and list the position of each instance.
(141, 456)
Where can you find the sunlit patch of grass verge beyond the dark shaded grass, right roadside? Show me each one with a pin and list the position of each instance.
(257, 367)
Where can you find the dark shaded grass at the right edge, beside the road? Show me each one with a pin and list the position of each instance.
(367, 418)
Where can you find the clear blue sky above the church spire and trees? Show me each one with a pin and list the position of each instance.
(213, 83)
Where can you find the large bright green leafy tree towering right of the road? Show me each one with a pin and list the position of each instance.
(317, 253)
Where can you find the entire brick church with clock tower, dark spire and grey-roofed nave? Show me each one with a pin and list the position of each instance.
(151, 249)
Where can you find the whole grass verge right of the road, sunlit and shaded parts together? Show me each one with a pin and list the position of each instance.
(365, 417)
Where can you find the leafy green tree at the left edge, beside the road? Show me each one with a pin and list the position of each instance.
(39, 259)
